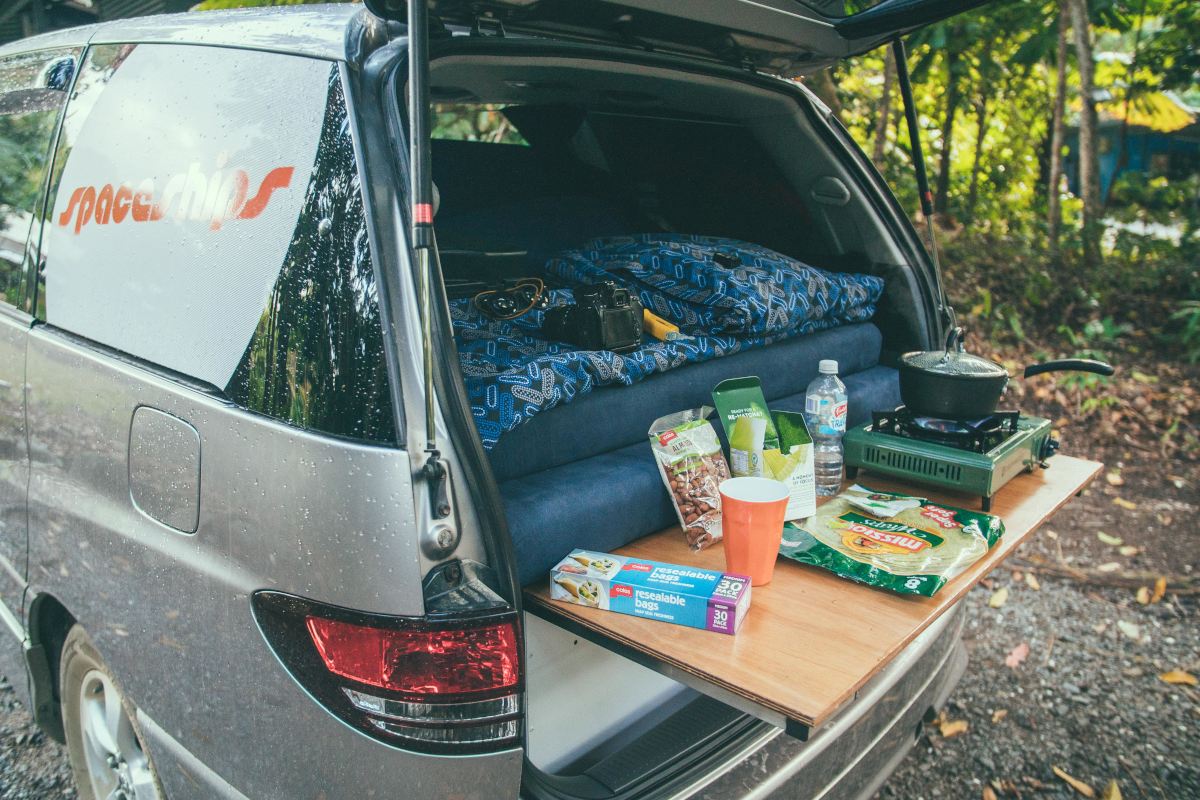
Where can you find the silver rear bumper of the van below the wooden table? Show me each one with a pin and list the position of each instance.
(851, 756)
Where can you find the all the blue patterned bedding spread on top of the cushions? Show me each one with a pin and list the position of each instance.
(749, 297)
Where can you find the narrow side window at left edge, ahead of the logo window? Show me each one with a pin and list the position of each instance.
(33, 92)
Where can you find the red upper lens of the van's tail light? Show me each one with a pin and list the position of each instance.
(422, 664)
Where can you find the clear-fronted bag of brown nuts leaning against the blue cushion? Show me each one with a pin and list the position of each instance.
(693, 467)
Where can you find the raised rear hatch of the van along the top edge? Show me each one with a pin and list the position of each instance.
(784, 38)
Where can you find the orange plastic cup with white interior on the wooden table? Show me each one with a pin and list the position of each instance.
(753, 512)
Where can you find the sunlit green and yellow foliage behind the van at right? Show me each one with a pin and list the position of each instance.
(1003, 270)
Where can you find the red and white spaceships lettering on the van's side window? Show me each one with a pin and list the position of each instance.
(213, 199)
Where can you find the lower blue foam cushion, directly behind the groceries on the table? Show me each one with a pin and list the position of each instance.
(608, 501)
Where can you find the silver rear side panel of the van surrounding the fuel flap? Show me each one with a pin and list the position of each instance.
(171, 613)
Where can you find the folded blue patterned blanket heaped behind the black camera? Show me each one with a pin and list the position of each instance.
(715, 287)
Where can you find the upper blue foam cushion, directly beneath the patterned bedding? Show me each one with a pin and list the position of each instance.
(616, 417)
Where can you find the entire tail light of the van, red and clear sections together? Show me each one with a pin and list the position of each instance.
(435, 685)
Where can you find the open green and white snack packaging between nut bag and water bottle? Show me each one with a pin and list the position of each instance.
(765, 444)
